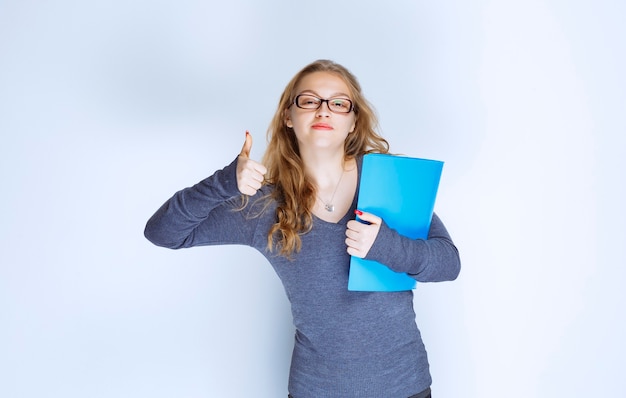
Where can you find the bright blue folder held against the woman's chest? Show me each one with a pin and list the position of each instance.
(402, 191)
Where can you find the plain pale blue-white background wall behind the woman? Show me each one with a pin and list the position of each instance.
(108, 107)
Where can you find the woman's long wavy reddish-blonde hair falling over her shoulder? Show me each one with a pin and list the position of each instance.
(293, 192)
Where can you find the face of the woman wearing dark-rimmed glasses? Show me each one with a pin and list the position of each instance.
(321, 128)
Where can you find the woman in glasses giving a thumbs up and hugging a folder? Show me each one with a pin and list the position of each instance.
(298, 210)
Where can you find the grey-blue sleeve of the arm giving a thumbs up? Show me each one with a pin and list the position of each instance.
(201, 215)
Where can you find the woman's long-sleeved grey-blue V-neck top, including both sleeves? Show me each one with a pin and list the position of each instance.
(347, 344)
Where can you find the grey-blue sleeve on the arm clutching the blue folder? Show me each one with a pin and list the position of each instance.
(431, 260)
